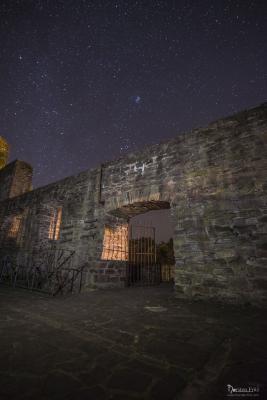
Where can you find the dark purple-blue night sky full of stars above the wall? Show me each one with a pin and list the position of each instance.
(83, 82)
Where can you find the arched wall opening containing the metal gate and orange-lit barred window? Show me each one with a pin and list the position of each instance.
(145, 242)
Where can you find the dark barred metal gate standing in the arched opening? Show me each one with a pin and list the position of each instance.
(142, 266)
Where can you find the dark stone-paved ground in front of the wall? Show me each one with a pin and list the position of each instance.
(136, 343)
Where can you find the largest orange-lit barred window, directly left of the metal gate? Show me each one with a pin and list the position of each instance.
(115, 243)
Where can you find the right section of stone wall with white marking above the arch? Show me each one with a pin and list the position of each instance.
(215, 182)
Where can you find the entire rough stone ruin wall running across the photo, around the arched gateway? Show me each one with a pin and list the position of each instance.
(213, 180)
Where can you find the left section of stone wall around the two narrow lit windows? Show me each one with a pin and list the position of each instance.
(76, 197)
